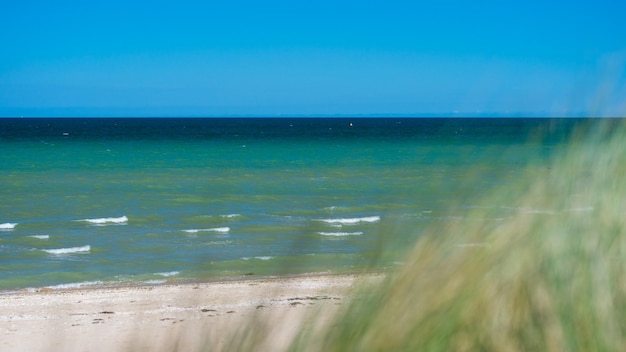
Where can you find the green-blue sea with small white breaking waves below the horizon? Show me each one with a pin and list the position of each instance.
(90, 202)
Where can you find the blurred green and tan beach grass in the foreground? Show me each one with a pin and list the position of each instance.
(538, 265)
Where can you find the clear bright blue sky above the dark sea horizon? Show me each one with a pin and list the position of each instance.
(208, 58)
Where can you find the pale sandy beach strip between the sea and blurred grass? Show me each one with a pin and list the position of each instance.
(185, 317)
